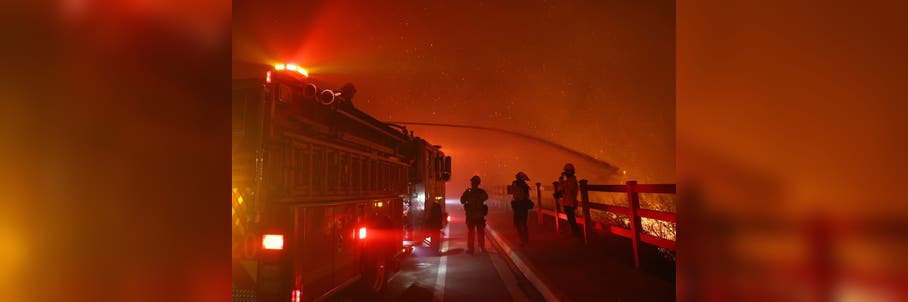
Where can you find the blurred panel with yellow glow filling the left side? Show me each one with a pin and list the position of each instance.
(114, 155)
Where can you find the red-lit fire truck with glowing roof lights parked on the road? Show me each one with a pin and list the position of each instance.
(323, 195)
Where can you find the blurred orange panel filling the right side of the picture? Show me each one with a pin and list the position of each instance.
(791, 150)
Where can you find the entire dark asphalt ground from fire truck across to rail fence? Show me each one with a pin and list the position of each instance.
(554, 266)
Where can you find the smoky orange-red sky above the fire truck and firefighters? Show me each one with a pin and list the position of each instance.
(596, 77)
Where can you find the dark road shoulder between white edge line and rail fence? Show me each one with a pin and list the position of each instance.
(563, 268)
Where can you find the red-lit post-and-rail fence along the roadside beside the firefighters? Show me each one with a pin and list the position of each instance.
(633, 211)
